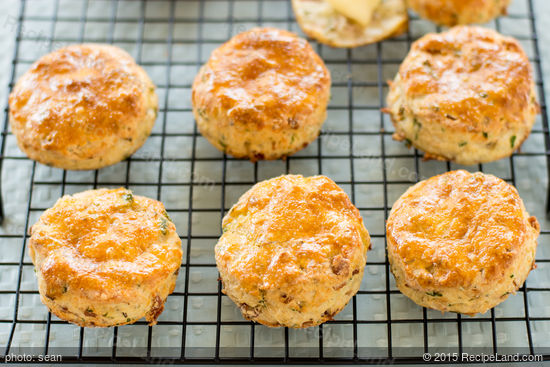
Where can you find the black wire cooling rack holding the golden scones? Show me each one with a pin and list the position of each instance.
(171, 39)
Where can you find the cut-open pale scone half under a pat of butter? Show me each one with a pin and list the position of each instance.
(320, 21)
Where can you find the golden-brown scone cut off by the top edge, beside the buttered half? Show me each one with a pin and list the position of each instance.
(453, 12)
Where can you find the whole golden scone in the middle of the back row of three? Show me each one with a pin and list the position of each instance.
(262, 95)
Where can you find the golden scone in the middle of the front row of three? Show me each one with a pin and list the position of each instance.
(293, 251)
